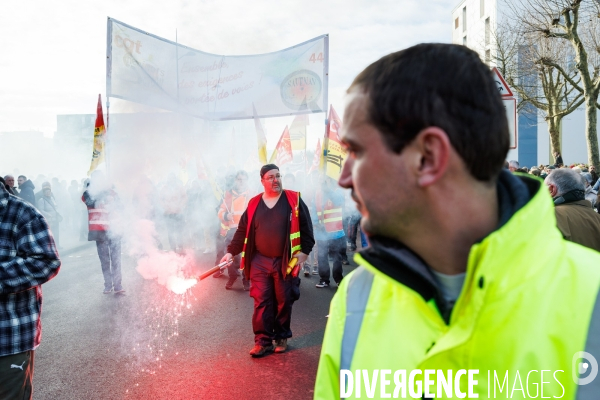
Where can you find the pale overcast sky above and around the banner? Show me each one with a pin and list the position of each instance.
(53, 52)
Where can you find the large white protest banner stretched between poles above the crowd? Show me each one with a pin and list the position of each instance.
(147, 69)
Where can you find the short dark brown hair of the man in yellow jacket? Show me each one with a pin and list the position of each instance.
(442, 85)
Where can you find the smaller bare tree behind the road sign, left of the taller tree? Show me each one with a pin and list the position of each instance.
(530, 63)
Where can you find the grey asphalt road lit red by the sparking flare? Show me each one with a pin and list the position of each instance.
(153, 344)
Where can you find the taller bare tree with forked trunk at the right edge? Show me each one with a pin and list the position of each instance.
(573, 21)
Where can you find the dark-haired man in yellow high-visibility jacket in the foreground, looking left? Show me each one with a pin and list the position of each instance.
(468, 288)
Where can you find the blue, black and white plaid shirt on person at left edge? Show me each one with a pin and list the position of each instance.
(28, 258)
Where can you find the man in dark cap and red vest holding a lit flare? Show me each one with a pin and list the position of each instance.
(274, 229)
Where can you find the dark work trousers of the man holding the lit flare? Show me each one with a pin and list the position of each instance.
(273, 300)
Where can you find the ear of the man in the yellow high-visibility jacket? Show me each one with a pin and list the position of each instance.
(434, 148)
